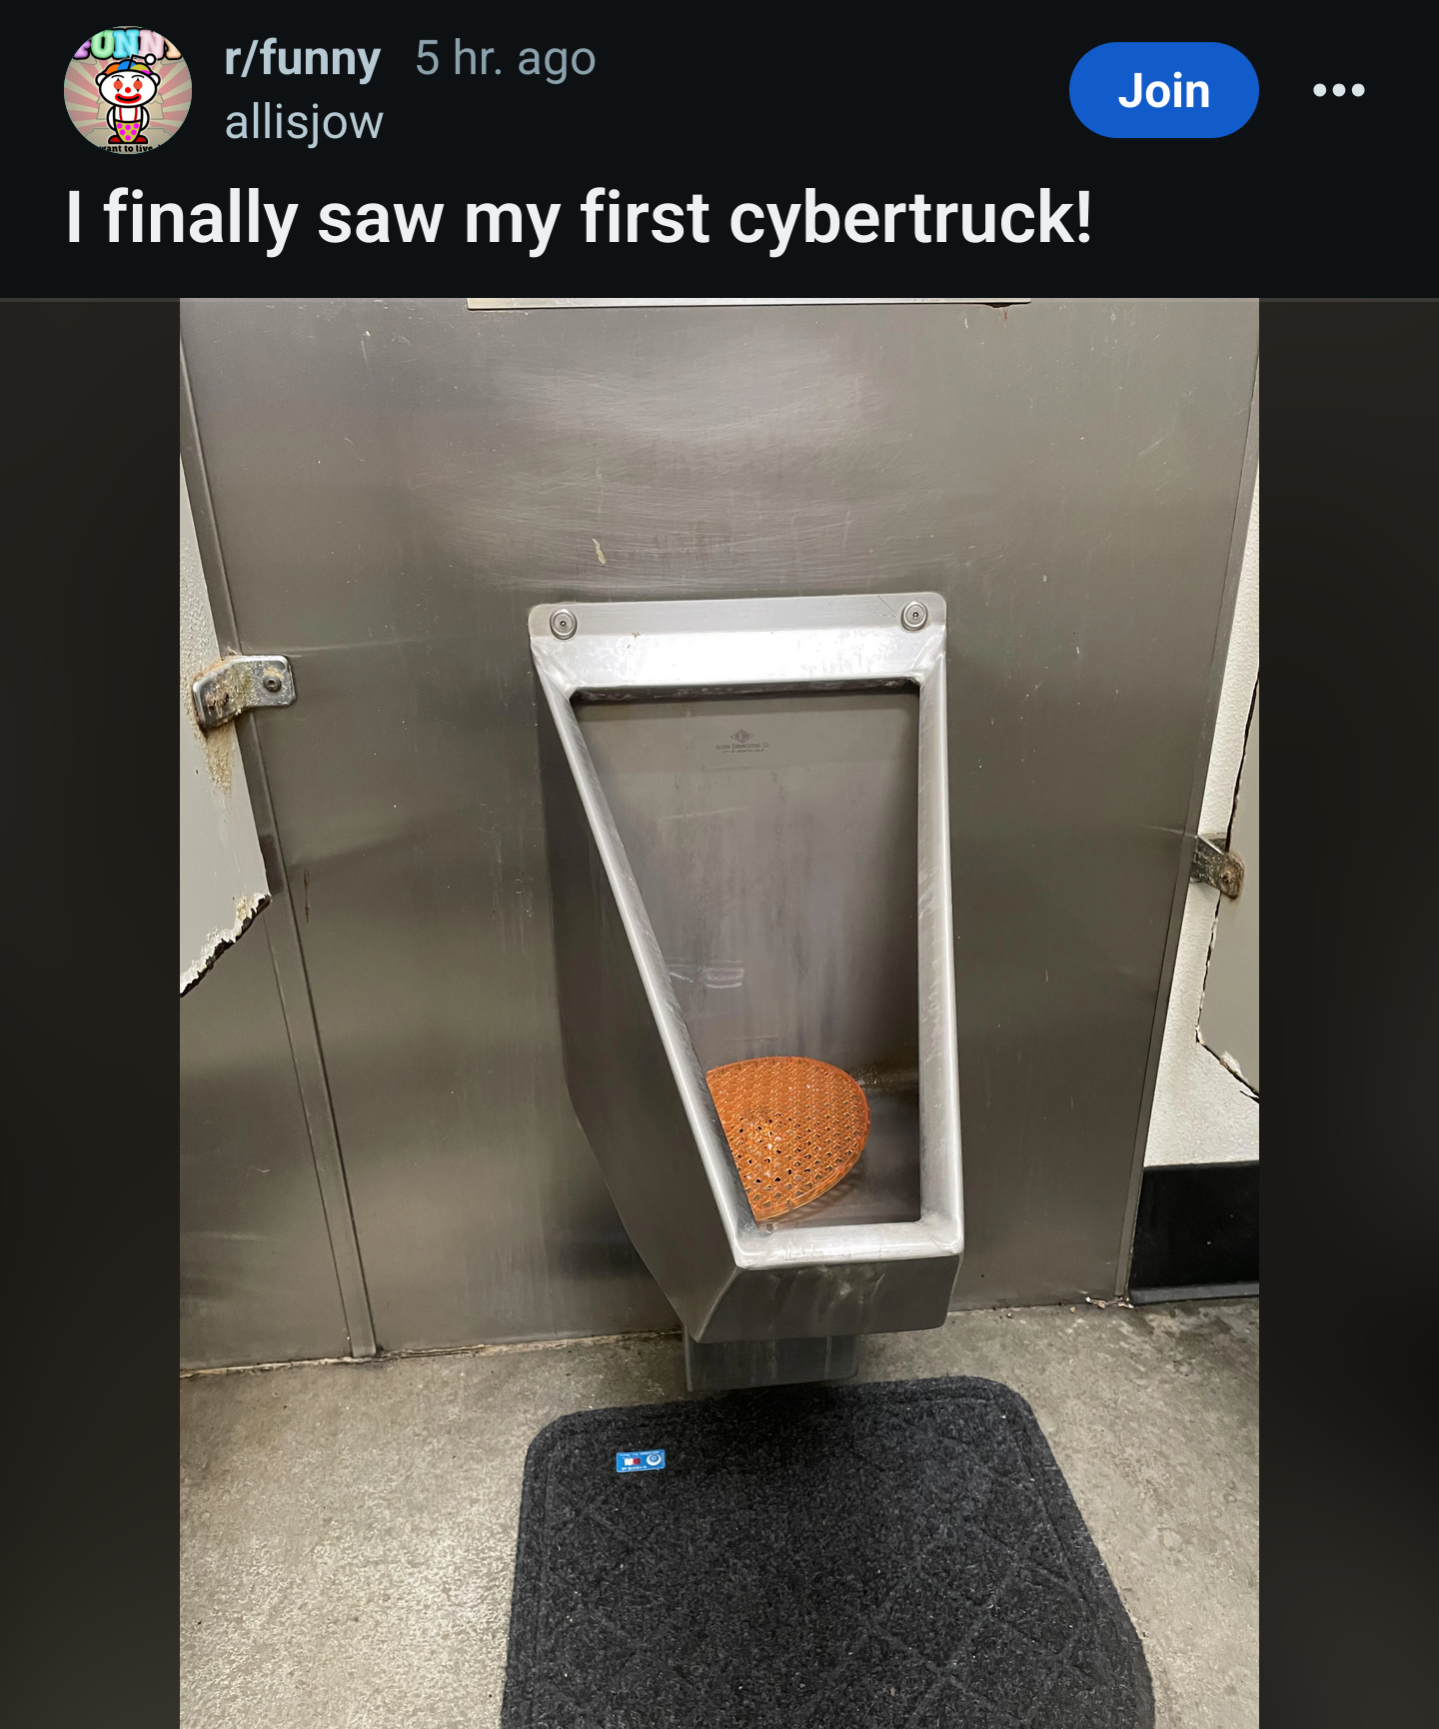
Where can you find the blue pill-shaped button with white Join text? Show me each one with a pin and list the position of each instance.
(1165, 91)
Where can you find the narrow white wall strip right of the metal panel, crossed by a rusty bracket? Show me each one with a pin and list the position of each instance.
(1203, 1114)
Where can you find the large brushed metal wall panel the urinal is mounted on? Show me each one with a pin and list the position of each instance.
(397, 483)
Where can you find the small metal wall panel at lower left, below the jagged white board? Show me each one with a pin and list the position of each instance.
(257, 1275)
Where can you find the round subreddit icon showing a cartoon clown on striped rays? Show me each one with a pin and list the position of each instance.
(129, 91)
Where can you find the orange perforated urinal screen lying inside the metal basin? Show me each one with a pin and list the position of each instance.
(795, 1126)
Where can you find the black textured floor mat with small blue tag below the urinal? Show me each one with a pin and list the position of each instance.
(829, 1557)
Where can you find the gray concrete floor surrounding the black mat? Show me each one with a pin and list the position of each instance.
(349, 1531)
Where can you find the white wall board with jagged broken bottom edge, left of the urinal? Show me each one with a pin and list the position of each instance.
(222, 874)
